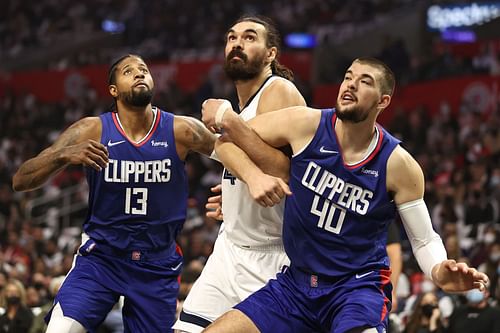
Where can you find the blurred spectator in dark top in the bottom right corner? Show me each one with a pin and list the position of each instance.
(476, 316)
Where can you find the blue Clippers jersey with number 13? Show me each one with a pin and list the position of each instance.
(139, 201)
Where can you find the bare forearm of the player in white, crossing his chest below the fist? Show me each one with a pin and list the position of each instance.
(270, 160)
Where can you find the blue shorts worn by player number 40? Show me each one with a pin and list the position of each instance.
(300, 302)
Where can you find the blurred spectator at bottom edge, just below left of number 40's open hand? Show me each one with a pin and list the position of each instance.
(426, 316)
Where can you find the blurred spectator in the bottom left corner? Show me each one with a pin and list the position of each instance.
(17, 317)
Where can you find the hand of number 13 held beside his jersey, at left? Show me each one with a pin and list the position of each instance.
(89, 153)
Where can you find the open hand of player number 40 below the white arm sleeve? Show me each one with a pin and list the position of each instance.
(458, 277)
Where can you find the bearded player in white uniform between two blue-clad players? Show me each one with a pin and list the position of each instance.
(249, 249)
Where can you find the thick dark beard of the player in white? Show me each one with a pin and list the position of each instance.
(243, 69)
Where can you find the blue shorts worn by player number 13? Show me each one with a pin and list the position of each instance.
(148, 282)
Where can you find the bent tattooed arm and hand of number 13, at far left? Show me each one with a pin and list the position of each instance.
(79, 144)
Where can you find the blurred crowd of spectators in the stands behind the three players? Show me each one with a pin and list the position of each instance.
(459, 151)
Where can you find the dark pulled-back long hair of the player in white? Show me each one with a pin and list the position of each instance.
(272, 40)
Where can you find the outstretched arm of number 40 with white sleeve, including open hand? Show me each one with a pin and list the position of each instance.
(405, 181)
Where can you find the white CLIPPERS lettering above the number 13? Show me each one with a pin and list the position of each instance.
(123, 171)
